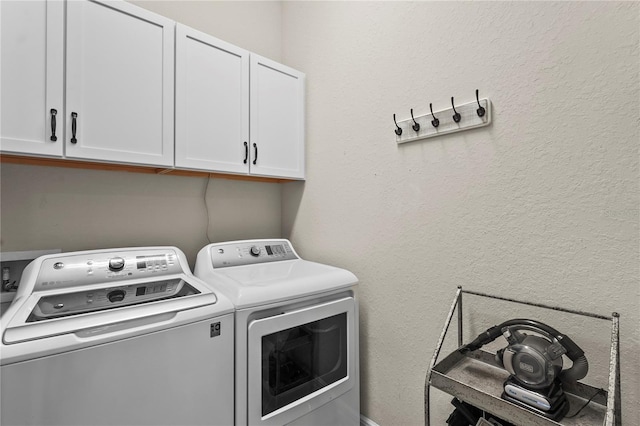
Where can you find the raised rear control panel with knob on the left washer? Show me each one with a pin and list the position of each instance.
(87, 269)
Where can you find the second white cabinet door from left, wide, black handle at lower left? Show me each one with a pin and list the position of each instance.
(119, 72)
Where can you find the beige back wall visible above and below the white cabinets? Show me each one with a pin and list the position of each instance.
(43, 207)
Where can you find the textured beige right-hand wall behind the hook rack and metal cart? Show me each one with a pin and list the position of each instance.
(542, 205)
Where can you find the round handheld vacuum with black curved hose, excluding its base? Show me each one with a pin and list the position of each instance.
(532, 360)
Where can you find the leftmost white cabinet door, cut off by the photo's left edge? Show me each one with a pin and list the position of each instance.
(31, 84)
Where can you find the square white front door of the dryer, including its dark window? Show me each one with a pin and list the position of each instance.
(300, 360)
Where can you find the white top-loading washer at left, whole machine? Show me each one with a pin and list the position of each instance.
(116, 337)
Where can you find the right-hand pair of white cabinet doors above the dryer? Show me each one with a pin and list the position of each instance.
(236, 112)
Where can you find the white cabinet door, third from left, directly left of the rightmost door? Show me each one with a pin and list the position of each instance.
(212, 103)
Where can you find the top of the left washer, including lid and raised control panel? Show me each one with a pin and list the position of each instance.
(77, 292)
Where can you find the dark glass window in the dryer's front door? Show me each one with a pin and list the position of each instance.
(301, 360)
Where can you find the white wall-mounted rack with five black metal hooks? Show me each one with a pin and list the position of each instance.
(457, 118)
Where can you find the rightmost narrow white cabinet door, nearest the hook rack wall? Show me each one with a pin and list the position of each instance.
(277, 119)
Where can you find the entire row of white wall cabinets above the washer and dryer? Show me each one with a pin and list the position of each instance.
(96, 80)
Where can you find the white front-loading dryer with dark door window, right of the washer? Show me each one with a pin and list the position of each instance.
(296, 333)
